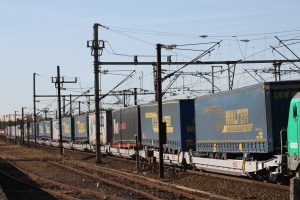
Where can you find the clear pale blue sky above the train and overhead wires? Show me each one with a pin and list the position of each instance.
(36, 36)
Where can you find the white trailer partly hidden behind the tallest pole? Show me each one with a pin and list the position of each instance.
(105, 128)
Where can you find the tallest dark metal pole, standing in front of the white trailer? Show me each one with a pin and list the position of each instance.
(96, 86)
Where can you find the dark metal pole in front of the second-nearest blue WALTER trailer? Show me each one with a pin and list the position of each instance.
(159, 102)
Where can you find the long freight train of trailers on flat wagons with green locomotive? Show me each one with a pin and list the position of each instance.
(250, 131)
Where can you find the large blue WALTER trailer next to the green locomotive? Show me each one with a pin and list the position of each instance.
(245, 120)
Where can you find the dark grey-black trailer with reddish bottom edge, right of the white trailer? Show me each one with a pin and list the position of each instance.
(126, 126)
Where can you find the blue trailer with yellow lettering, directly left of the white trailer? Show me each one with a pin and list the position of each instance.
(81, 127)
